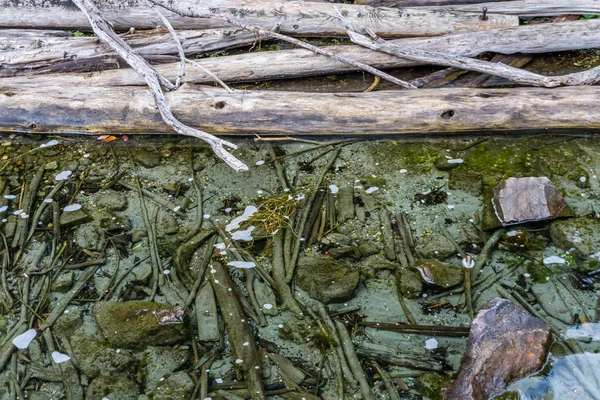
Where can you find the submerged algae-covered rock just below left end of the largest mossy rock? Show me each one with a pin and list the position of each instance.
(95, 358)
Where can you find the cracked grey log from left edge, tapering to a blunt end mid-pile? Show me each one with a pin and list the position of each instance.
(43, 51)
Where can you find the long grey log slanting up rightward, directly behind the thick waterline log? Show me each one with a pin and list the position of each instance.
(532, 39)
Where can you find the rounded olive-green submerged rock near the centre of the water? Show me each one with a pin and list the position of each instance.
(326, 279)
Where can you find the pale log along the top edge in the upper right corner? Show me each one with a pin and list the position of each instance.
(523, 8)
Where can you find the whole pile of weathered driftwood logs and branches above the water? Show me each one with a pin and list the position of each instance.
(54, 81)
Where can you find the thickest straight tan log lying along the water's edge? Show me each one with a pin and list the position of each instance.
(131, 110)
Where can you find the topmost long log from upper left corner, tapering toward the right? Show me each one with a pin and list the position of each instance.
(296, 18)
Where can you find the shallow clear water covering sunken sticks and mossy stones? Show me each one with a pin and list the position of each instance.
(89, 224)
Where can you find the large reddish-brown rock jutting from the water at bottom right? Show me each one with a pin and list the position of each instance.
(505, 343)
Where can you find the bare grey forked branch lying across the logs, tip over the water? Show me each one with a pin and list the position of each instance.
(154, 81)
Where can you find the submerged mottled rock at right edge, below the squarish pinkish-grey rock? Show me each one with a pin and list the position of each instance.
(581, 234)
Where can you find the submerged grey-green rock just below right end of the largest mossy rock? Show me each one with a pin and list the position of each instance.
(158, 361)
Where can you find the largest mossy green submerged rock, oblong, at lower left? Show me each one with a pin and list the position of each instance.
(135, 324)
